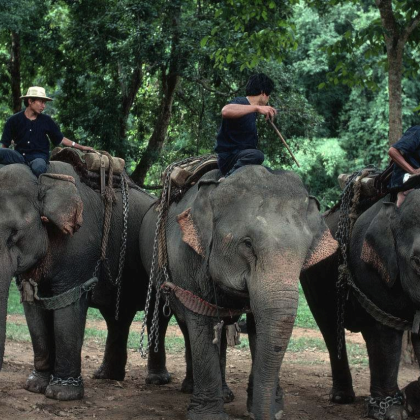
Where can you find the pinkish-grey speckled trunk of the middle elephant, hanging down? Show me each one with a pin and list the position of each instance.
(274, 301)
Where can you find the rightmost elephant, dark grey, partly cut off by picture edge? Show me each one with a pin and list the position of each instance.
(384, 261)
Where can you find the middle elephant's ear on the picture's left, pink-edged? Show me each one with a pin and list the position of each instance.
(196, 222)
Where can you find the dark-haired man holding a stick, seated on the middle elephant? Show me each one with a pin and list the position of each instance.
(238, 138)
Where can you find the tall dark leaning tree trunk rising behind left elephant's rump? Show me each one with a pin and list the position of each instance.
(170, 80)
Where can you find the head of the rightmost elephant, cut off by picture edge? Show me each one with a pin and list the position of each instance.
(391, 246)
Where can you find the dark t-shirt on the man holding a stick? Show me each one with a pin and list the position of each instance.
(237, 134)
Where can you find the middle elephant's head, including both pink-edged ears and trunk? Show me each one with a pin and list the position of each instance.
(256, 231)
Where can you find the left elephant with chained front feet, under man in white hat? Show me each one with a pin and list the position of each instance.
(50, 234)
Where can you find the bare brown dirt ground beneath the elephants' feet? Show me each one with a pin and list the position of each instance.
(305, 376)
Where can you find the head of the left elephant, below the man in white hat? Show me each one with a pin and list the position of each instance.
(27, 206)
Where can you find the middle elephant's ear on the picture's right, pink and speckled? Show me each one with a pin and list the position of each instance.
(323, 244)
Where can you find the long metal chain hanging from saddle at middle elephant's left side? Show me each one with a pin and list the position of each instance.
(159, 268)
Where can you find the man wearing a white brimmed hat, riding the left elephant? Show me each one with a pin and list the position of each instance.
(31, 132)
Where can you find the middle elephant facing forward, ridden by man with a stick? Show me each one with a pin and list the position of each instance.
(238, 243)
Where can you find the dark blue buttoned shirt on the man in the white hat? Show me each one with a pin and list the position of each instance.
(31, 137)
